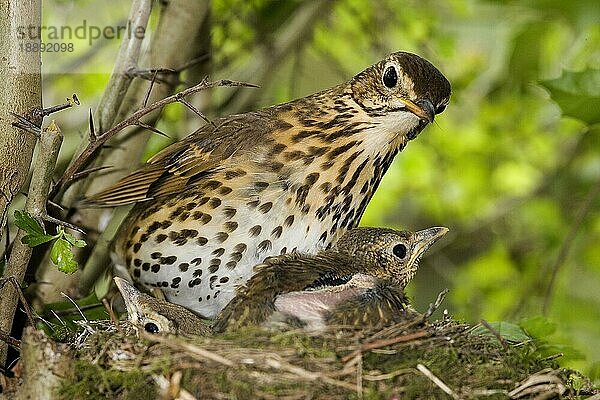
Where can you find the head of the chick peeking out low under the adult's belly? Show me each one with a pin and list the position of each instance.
(158, 316)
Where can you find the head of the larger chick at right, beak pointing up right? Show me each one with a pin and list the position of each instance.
(386, 253)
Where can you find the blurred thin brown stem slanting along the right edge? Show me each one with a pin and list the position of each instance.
(568, 242)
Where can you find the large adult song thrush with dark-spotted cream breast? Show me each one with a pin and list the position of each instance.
(290, 177)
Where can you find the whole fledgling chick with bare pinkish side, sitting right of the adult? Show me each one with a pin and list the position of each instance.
(359, 281)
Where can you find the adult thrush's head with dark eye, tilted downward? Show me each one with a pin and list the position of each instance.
(403, 92)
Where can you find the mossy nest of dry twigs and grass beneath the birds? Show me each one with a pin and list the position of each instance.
(412, 360)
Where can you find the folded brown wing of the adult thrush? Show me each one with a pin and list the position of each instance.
(184, 163)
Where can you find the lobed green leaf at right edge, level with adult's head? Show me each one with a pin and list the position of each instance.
(577, 94)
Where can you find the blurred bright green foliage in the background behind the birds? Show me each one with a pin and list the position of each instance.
(512, 166)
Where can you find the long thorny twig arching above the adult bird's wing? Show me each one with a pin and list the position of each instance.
(85, 157)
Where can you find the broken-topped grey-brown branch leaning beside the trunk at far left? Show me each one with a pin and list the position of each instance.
(43, 169)
